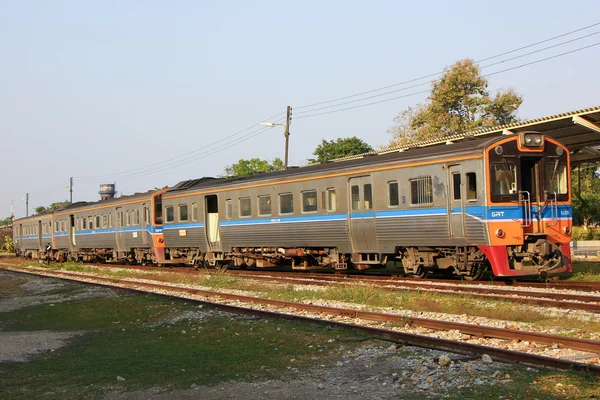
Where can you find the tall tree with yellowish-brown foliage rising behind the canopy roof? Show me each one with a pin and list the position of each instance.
(459, 102)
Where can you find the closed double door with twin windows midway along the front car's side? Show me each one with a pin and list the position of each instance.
(361, 214)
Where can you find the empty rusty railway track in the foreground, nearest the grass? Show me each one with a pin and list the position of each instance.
(364, 321)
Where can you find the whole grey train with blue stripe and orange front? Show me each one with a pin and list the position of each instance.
(499, 204)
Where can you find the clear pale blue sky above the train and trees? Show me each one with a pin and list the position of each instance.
(145, 94)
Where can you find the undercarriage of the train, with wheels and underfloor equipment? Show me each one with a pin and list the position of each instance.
(537, 255)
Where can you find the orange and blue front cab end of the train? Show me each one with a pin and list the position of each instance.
(529, 214)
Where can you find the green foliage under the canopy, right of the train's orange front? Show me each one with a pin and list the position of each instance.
(585, 184)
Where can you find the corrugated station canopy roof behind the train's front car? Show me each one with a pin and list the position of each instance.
(578, 130)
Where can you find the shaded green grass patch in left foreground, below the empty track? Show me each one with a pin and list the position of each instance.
(177, 355)
